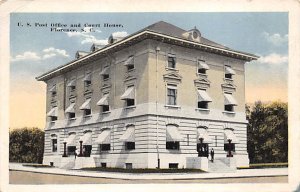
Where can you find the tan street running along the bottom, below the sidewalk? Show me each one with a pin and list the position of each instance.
(23, 177)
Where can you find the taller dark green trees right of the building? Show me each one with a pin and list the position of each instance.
(268, 132)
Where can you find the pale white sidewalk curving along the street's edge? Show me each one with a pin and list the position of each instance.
(155, 176)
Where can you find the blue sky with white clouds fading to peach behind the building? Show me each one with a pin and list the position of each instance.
(35, 49)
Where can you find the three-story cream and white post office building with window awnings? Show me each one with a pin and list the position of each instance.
(152, 99)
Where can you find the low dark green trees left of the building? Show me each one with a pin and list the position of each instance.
(26, 145)
